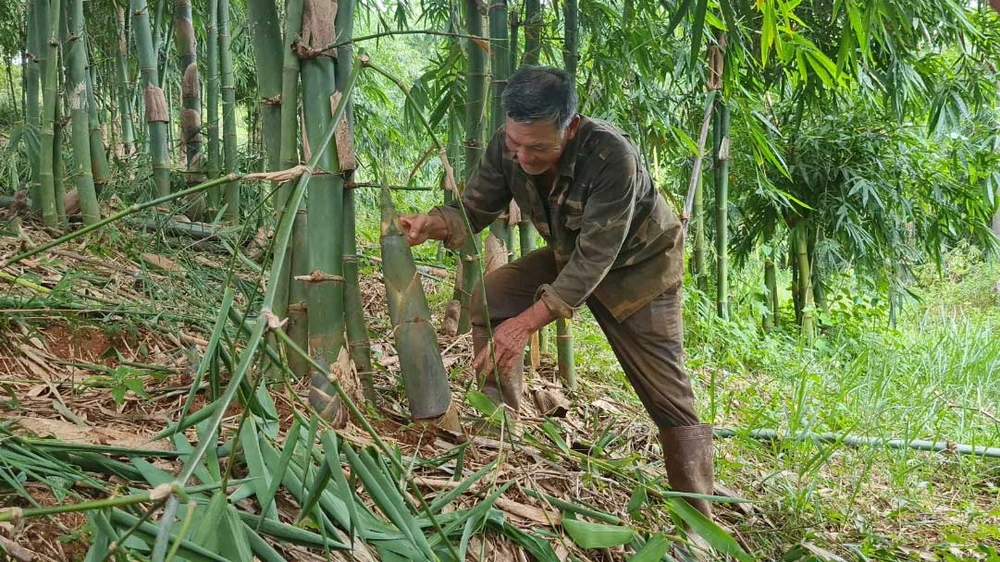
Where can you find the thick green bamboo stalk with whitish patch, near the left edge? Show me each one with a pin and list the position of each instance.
(76, 93)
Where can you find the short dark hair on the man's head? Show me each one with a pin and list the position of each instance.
(540, 93)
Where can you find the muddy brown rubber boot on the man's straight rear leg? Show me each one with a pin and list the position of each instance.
(687, 457)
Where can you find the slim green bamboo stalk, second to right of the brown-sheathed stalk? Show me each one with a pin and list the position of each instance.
(229, 139)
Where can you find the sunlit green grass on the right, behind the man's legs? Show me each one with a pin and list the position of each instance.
(936, 376)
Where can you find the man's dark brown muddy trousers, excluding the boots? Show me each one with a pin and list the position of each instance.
(649, 344)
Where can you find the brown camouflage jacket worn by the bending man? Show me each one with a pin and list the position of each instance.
(612, 233)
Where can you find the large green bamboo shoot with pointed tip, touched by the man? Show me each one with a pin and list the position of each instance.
(424, 376)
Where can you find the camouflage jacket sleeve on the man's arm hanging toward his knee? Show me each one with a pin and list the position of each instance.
(605, 225)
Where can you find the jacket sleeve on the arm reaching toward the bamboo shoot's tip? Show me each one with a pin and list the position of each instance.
(486, 196)
